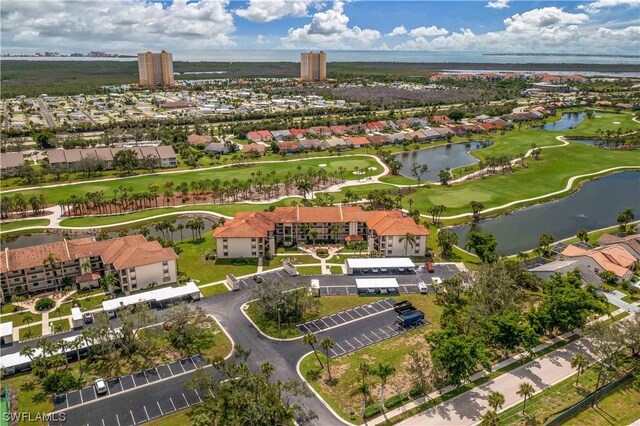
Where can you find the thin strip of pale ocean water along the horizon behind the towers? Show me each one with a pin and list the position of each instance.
(371, 56)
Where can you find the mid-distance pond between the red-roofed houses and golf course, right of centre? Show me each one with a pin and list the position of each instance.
(440, 158)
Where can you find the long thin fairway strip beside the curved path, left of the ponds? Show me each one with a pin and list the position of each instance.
(140, 183)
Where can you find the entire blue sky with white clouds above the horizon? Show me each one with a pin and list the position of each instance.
(181, 26)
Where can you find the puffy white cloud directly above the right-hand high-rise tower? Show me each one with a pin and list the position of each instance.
(330, 29)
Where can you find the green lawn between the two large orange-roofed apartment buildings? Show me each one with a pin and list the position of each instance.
(192, 262)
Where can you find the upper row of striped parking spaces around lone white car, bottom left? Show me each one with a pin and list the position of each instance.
(130, 381)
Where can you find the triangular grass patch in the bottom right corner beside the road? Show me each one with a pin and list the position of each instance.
(620, 407)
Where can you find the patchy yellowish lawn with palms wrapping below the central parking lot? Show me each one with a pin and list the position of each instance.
(340, 395)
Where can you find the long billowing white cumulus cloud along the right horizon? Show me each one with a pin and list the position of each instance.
(548, 29)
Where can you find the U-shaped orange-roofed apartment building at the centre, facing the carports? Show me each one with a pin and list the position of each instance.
(253, 234)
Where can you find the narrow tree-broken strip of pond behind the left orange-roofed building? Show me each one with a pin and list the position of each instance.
(28, 240)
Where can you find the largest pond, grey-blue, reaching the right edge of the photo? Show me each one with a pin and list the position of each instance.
(596, 205)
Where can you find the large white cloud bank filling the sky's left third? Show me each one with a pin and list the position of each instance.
(128, 25)
